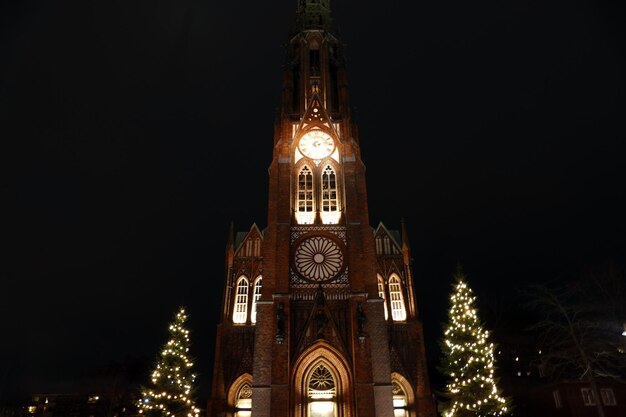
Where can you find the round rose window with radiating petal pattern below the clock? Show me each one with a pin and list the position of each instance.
(318, 259)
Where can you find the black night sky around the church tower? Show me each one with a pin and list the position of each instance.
(133, 132)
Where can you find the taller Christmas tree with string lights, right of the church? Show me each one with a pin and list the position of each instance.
(468, 361)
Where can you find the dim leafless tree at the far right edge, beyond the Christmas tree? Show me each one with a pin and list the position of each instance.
(579, 331)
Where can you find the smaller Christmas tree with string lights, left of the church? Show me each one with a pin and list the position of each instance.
(171, 390)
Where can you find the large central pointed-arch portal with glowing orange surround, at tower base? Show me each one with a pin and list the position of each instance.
(322, 383)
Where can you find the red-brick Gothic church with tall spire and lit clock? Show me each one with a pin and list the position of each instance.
(319, 317)
